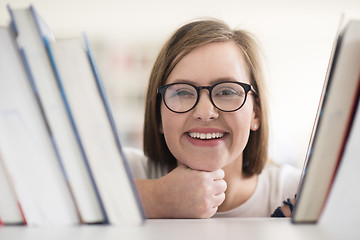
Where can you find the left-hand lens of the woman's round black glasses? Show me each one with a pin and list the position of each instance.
(180, 97)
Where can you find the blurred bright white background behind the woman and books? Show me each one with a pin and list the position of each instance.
(126, 36)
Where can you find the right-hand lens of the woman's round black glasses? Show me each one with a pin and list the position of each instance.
(228, 96)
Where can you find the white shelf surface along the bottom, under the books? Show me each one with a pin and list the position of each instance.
(211, 229)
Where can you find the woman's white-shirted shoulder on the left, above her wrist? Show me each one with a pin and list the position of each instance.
(141, 166)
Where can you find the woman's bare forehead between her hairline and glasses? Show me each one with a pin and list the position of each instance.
(209, 63)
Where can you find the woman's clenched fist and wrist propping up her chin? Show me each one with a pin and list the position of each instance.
(183, 193)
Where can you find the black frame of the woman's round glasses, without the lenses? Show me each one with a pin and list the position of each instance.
(247, 87)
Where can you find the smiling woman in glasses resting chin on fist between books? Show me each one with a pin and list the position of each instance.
(206, 130)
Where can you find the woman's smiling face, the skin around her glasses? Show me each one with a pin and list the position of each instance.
(205, 66)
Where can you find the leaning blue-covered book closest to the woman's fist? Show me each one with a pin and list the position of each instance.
(92, 116)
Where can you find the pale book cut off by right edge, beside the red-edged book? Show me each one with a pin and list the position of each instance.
(342, 204)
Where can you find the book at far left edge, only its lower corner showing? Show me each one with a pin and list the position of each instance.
(10, 208)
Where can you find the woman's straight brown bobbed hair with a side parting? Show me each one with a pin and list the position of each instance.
(187, 38)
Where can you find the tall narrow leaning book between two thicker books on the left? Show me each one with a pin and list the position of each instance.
(33, 33)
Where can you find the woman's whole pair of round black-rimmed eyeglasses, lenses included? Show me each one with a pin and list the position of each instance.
(226, 96)
